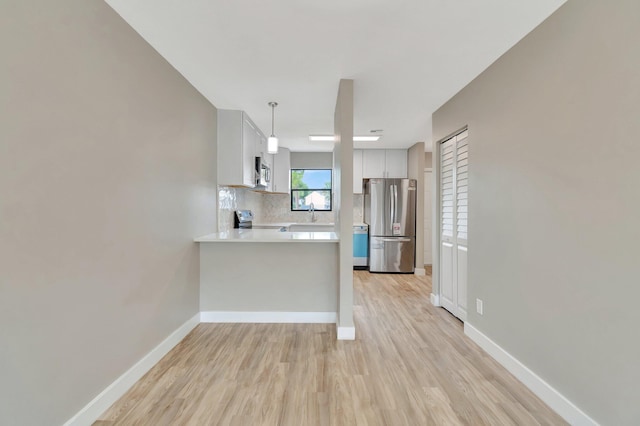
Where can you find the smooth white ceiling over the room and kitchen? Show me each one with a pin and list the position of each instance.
(406, 57)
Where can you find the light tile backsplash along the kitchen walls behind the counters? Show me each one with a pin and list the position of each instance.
(270, 208)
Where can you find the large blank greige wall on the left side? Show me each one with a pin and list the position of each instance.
(106, 174)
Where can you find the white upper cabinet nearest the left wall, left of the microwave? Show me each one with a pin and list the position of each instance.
(236, 148)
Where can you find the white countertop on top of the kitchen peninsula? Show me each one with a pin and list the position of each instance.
(268, 236)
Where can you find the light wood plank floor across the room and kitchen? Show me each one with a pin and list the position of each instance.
(409, 365)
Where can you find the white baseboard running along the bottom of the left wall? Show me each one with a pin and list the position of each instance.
(115, 390)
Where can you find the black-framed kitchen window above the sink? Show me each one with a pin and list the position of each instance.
(311, 187)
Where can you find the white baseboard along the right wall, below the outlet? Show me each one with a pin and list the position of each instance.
(554, 399)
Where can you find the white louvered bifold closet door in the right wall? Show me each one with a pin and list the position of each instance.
(453, 224)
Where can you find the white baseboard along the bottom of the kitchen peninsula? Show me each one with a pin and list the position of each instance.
(269, 317)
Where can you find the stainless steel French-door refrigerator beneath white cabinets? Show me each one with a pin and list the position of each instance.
(390, 211)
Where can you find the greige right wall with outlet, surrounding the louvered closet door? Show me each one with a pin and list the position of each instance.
(554, 204)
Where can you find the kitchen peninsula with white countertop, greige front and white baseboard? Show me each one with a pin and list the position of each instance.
(265, 275)
